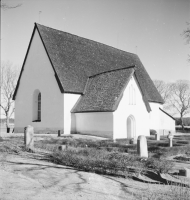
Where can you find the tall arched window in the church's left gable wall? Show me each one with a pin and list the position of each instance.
(36, 106)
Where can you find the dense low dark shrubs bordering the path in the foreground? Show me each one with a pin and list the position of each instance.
(96, 160)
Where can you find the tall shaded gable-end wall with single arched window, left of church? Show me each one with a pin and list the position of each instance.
(38, 74)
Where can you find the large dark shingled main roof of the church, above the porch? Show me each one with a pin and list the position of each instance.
(75, 59)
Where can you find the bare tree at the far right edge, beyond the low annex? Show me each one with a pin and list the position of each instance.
(180, 98)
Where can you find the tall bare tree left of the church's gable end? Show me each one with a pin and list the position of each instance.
(9, 75)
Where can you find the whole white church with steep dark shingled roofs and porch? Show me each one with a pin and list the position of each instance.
(77, 85)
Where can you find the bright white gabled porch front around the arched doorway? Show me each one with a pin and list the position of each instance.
(138, 111)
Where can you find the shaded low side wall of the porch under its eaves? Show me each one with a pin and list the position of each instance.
(95, 123)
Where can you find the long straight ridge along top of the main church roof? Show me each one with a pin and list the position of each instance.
(88, 39)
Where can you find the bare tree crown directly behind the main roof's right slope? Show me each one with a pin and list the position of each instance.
(163, 88)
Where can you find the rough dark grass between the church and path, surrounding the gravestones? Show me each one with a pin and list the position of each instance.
(114, 158)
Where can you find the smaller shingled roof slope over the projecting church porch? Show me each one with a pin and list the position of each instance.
(104, 91)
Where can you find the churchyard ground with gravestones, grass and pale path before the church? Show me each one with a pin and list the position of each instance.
(155, 167)
